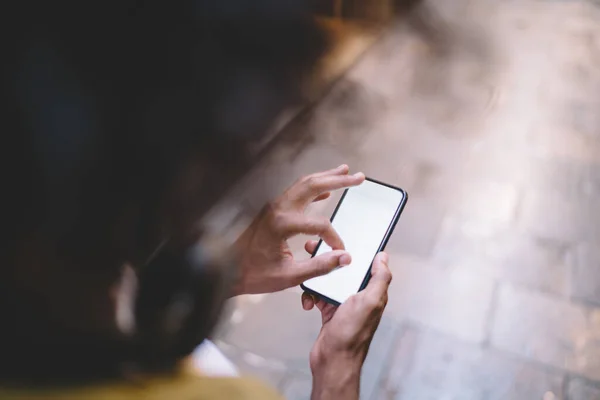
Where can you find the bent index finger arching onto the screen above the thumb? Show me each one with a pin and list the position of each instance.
(294, 223)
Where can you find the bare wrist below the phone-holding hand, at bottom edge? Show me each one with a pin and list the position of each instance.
(338, 380)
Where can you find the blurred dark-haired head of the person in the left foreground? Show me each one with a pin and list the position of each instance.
(124, 122)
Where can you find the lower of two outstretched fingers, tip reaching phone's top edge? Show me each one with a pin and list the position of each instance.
(311, 187)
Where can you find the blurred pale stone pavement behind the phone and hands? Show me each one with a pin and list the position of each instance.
(488, 114)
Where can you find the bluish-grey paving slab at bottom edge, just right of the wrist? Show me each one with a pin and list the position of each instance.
(430, 365)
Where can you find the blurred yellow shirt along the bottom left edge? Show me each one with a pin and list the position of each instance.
(180, 387)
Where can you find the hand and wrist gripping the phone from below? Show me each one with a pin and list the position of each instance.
(338, 354)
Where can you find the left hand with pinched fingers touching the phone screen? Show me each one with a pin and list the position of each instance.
(266, 261)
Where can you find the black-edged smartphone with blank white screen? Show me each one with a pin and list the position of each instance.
(365, 218)
